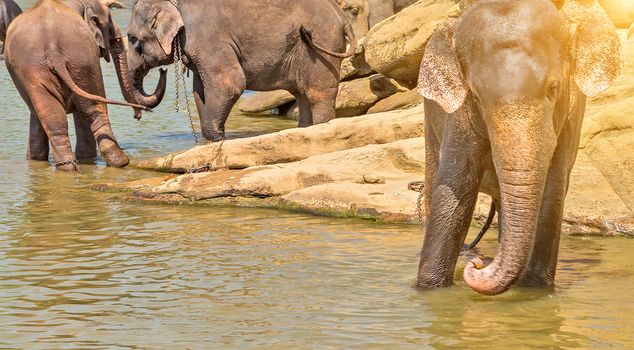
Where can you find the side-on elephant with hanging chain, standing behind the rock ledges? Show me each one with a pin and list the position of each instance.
(235, 45)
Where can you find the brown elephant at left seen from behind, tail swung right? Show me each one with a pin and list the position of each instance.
(53, 53)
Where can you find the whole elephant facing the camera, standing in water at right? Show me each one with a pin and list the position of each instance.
(504, 110)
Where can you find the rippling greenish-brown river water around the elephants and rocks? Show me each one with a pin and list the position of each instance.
(81, 269)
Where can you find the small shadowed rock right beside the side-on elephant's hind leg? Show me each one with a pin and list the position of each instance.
(357, 96)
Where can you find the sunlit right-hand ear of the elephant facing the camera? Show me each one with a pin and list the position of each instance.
(597, 56)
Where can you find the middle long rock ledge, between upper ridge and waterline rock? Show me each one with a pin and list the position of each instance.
(369, 164)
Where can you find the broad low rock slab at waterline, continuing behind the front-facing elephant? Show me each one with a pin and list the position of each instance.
(370, 182)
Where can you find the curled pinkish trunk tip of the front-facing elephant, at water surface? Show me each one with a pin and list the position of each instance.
(482, 280)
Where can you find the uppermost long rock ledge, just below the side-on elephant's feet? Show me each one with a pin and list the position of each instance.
(293, 144)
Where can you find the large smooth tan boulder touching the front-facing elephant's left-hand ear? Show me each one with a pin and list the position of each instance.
(395, 47)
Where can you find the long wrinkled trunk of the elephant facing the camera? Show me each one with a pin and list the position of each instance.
(522, 145)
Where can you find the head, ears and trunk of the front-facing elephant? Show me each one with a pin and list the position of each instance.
(521, 77)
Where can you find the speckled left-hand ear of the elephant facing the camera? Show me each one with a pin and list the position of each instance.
(441, 77)
